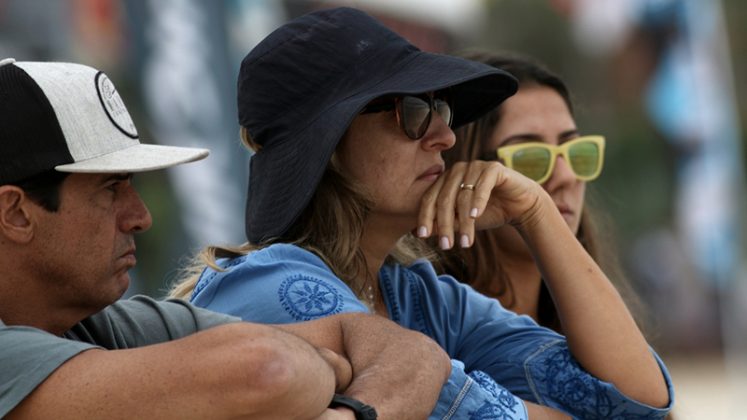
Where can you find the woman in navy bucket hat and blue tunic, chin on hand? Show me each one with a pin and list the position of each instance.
(348, 121)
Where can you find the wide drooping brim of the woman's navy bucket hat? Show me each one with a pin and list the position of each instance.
(287, 176)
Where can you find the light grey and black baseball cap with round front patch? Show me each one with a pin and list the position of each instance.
(70, 118)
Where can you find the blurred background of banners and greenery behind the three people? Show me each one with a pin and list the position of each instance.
(662, 79)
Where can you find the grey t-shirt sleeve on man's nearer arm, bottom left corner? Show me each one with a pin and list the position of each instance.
(28, 356)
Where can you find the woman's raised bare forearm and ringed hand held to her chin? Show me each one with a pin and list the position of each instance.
(601, 332)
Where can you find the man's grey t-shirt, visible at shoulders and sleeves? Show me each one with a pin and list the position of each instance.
(29, 355)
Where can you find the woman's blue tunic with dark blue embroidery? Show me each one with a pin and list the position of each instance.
(507, 355)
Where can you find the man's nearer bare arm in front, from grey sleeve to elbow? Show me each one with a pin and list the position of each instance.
(234, 370)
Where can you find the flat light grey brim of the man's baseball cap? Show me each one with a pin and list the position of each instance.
(137, 158)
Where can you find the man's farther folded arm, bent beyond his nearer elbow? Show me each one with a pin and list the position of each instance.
(398, 371)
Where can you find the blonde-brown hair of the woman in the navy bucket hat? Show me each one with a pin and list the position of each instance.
(331, 226)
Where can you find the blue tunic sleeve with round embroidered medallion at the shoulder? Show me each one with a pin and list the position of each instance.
(279, 284)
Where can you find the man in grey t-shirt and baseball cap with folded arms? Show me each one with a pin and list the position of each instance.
(68, 214)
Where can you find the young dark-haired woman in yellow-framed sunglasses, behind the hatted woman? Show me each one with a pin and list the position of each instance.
(533, 133)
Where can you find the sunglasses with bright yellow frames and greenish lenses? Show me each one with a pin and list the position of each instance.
(536, 160)
